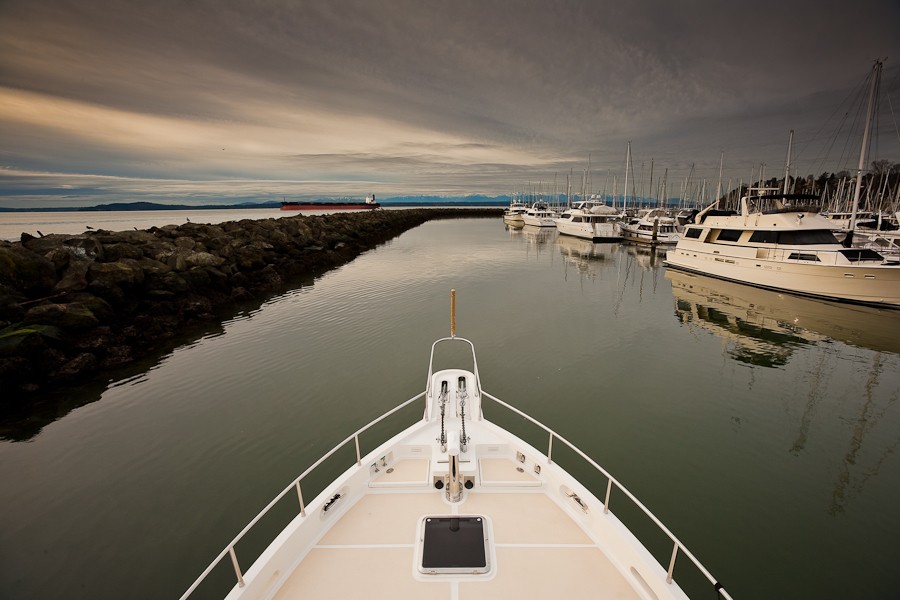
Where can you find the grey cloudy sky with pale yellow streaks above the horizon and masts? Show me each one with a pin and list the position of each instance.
(200, 101)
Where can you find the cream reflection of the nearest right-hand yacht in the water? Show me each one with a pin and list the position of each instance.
(763, 327)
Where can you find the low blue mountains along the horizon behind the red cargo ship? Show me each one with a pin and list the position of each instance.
(410, 201)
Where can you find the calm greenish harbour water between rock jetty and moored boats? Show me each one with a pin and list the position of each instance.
(760, 428)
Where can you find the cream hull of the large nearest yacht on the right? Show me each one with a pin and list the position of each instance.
(876, 285)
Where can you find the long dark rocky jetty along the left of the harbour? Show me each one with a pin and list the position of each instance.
(77, 307)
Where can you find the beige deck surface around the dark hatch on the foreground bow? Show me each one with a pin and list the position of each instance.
(539, 551)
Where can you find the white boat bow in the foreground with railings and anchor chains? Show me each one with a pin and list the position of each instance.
(457, 507)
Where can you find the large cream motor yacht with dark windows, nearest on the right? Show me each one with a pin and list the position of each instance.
(776, 242)
